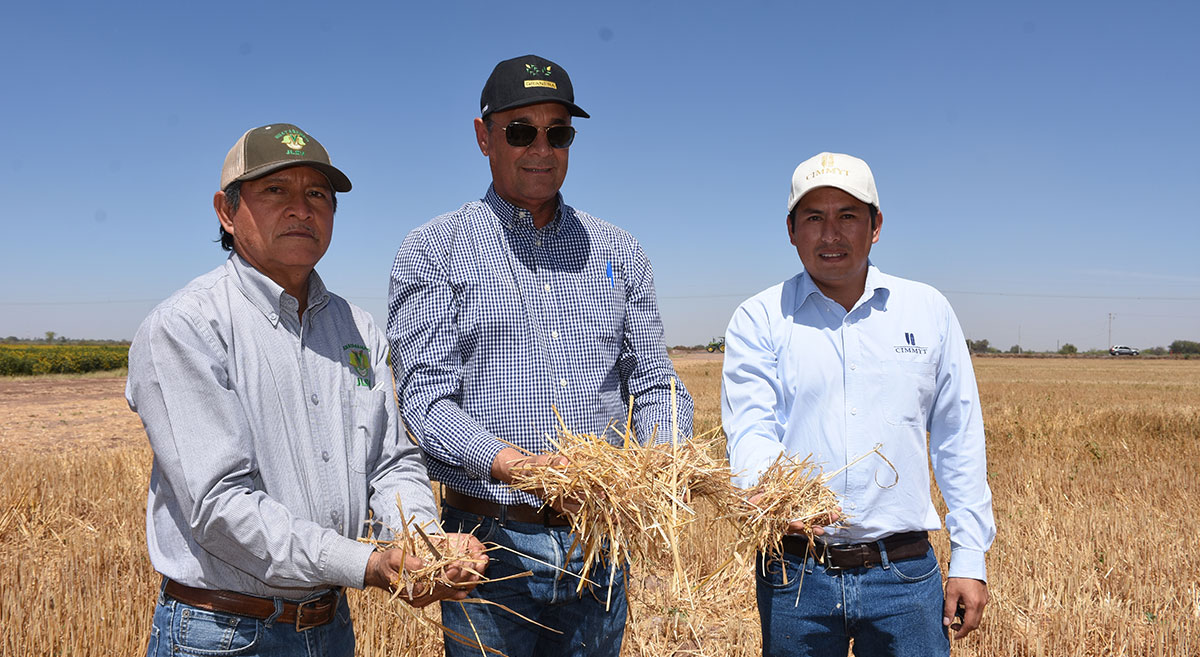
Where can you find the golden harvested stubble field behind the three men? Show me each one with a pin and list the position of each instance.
(1094, 465)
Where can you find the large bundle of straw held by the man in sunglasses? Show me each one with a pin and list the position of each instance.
(634, 498)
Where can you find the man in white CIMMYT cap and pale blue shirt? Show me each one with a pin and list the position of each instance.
(832, 363)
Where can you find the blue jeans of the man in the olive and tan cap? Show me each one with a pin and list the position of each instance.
(185, 630)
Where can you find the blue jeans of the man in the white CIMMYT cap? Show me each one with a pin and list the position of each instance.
(891, 610)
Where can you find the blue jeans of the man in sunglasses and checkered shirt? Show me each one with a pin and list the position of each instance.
(548, 596)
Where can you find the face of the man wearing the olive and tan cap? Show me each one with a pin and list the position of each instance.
(285, 221)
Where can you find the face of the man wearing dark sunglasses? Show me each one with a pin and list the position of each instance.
(527, 177)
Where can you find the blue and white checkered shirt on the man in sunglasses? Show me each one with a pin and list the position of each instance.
(494, 324)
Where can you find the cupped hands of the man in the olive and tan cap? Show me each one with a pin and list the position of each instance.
(385, 571)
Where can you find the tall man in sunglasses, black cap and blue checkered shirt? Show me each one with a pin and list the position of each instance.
(501, 314)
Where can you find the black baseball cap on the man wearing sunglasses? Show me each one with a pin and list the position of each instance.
(526, 81)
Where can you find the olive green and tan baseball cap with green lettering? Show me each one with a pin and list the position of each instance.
(277, 147)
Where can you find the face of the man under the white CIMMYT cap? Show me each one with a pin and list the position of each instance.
(832, 233)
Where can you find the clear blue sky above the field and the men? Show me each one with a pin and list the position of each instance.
(1037, 162)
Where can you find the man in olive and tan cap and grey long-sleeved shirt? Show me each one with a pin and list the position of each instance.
(269, 408)
